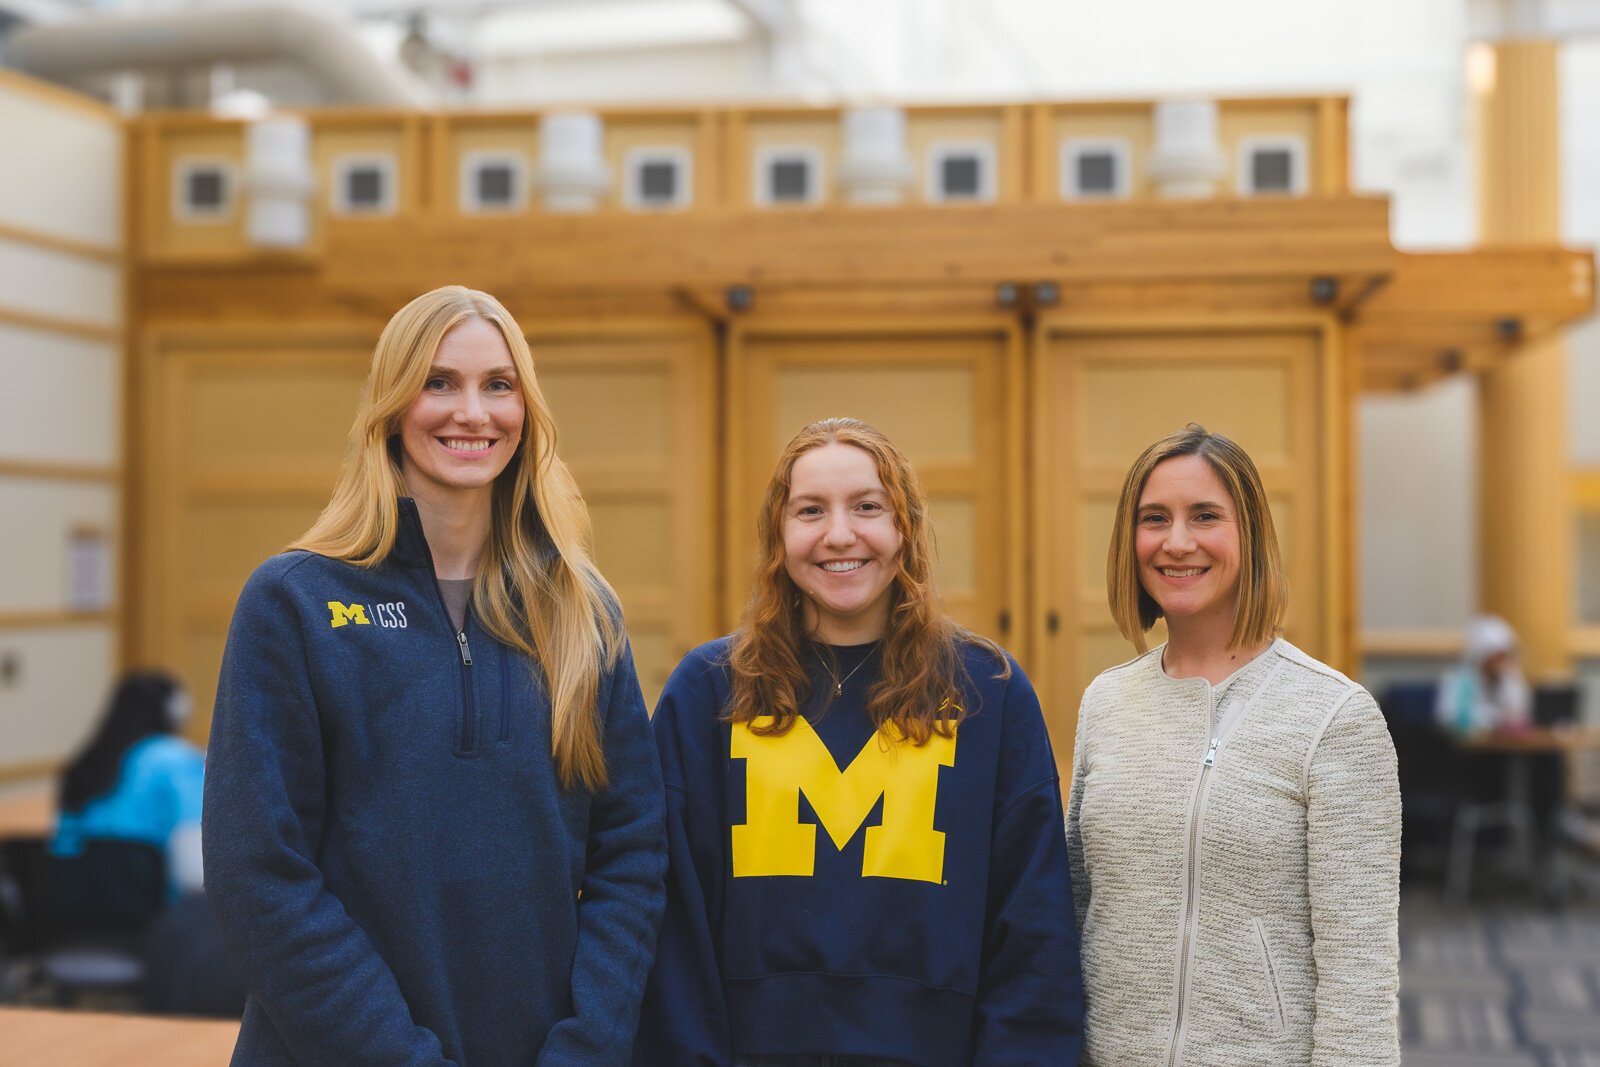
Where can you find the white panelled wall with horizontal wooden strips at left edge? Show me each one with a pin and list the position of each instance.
(62, 474)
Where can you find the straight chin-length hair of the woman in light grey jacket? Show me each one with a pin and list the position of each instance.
(1263, 591)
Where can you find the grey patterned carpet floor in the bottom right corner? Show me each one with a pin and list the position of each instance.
(1500, 985)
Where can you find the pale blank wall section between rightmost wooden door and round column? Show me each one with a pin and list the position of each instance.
(1420, 516)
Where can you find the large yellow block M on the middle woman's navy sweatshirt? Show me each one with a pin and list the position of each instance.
(778, 770)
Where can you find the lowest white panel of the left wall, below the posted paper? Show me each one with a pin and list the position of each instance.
(57, 693)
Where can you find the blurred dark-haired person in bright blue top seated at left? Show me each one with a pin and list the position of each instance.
(137, 780)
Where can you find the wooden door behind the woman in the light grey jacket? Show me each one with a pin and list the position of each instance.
(1100, 399)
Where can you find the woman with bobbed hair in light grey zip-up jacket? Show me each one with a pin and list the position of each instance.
(1234, 818)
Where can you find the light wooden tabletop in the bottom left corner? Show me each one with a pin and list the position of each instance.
(82, 1039)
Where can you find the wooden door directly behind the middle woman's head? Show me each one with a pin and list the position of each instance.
(938, 393)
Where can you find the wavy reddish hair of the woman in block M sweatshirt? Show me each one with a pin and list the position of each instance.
(919, 689)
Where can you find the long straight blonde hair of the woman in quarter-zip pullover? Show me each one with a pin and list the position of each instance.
(537, 588)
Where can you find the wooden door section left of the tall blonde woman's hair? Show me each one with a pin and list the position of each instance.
(242, 434)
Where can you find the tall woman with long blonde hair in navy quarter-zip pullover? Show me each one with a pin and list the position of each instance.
(433, 815)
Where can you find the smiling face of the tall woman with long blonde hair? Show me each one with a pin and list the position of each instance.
(466, 425)
